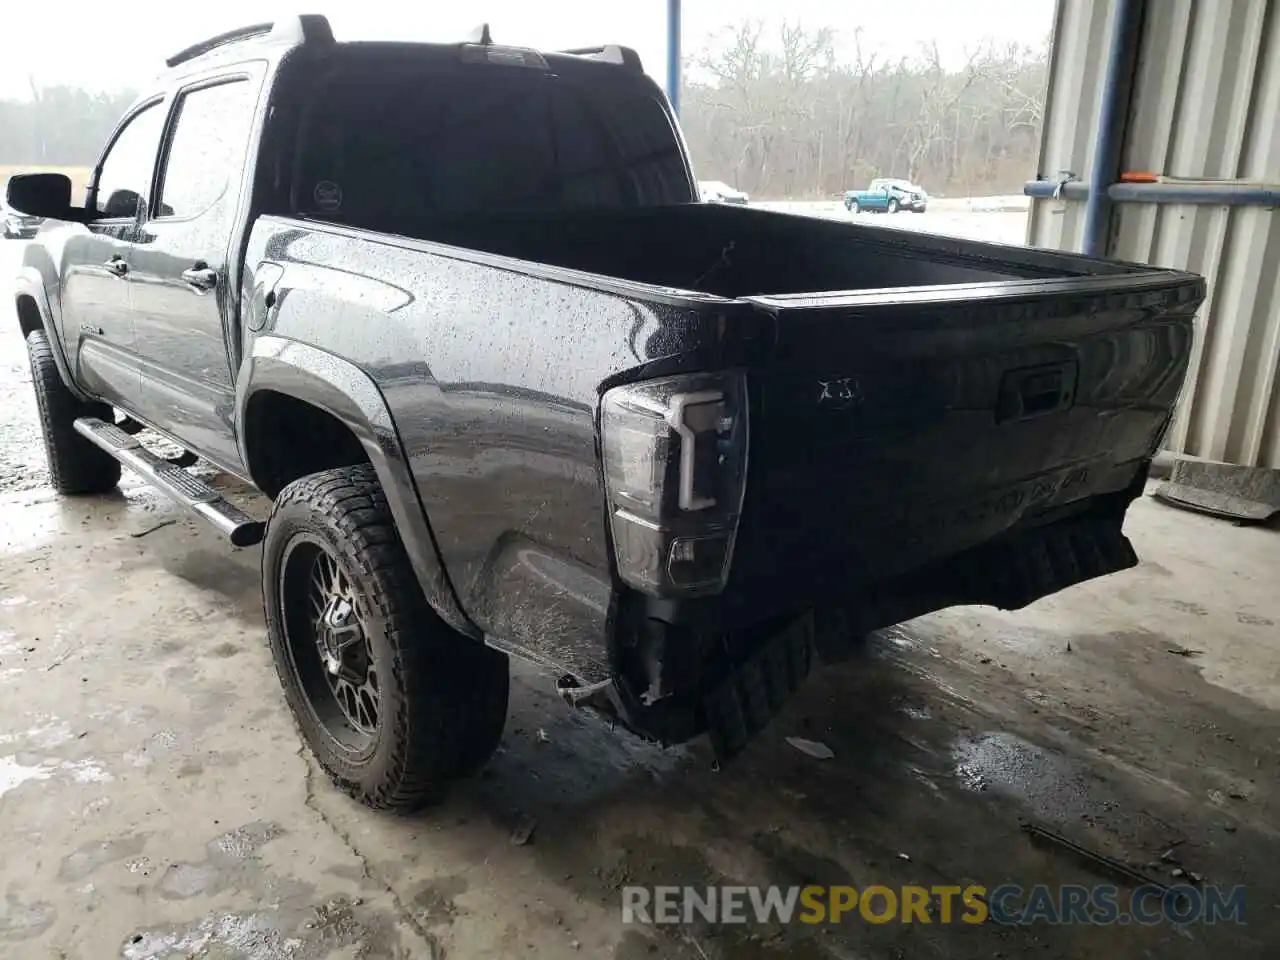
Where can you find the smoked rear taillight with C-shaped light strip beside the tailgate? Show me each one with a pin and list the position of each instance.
(675, 473)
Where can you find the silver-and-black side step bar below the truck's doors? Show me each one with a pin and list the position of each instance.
(190, 491)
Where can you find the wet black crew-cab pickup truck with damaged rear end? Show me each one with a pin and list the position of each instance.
(458, 312)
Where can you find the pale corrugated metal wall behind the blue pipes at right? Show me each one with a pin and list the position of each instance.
(1206, 104)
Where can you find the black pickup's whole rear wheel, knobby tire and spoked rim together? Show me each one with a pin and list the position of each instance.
(392, 702)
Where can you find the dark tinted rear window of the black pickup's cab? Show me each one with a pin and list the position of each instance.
(392, 144)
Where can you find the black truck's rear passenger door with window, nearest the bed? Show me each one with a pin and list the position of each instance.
(186, 273)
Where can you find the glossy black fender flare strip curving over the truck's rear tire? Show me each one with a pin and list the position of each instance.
(348, 394)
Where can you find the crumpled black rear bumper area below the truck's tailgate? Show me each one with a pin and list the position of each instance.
(732, 683)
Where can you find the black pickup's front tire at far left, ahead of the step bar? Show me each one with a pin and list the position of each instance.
(76, 467)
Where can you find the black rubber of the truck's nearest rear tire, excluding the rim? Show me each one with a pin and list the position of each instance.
(444, 697)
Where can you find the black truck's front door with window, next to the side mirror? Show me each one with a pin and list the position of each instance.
(95, 296)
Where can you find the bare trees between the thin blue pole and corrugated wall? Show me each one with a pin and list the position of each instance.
(784, 117)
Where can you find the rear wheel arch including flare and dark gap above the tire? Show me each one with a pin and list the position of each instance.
(336, 406)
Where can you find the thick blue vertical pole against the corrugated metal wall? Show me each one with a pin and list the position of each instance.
(1109, 140)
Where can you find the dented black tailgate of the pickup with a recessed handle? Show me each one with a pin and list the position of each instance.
(895, 428)
